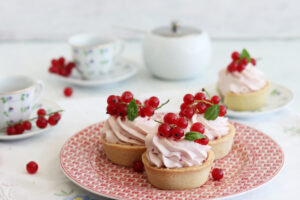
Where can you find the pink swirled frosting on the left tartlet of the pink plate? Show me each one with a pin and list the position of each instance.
(134, 132)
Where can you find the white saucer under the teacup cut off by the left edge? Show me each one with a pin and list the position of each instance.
(49, 106)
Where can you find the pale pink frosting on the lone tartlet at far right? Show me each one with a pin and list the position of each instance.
(249, 80)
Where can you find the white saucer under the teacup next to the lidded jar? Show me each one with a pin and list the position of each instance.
(123, 69)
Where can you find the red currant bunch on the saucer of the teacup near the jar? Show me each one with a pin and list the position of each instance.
(60, 67)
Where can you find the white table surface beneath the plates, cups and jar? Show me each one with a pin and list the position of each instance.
(280, 62)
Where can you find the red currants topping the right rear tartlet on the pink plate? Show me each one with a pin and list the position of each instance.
(198, 104)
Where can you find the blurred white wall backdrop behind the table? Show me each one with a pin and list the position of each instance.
(57, 19)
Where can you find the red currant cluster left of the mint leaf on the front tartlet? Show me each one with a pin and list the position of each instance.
(173, 126)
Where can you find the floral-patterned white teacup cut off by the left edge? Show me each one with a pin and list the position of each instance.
(18, 95)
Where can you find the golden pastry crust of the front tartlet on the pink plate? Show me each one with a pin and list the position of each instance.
(178, 178)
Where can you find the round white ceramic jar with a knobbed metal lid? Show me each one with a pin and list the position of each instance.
(176, 52)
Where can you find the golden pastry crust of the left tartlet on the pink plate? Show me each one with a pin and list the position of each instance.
(122, 154)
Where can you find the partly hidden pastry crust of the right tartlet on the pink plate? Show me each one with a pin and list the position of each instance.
(222, 146)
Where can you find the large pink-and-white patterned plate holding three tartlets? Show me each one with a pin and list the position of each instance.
(254, 160)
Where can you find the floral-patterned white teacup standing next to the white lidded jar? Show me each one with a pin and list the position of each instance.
(94, 55)
